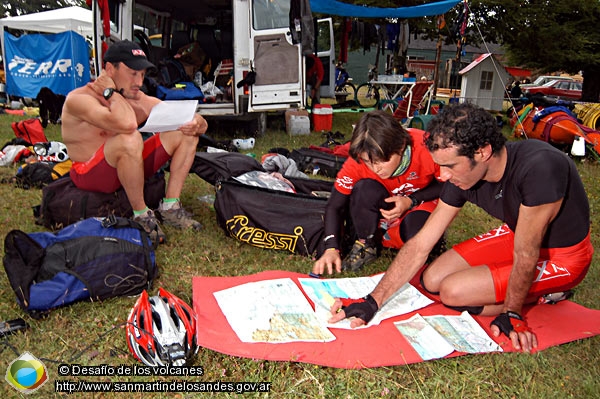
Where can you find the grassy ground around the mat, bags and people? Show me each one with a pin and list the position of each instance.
(91, 333)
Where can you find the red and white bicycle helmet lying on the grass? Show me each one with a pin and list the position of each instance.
(161, 330)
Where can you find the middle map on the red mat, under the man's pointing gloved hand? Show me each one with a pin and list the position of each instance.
(323, 291)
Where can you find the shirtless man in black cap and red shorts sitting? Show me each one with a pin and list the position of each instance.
(99, 128)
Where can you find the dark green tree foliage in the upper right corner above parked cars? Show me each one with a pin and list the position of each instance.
(545, 35)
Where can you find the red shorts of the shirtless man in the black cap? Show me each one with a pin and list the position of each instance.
(97, 175)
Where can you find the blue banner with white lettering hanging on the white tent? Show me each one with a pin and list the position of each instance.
(58, 61)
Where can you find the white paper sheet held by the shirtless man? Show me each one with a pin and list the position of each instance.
(169, 115)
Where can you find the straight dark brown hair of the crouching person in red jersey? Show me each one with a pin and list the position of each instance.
(378, 135)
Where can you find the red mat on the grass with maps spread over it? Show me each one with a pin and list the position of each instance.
(376, 346)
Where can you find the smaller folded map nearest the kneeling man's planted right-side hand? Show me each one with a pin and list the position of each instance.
(434, 337)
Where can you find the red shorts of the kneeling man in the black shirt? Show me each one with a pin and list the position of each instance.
(558, 269)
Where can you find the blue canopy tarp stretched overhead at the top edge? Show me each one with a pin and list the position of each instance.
(334, 7)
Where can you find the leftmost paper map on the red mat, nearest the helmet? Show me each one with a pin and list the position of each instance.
(271, 311)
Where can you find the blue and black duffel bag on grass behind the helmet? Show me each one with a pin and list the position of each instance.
(93, 259)
